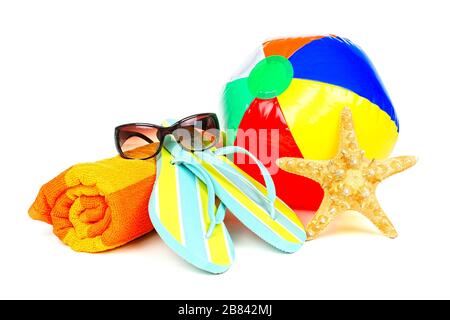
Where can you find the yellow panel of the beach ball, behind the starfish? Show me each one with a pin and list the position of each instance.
(312, 111)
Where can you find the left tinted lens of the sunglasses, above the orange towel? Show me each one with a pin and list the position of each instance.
(138, 142)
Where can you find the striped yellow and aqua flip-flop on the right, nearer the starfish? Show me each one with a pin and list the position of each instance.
(256, 206)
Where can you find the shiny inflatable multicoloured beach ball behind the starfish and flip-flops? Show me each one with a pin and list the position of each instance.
(298, 87)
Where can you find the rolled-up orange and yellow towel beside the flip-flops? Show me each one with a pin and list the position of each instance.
(98, 206)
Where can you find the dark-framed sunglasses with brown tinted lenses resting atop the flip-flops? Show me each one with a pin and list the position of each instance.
(144, 140)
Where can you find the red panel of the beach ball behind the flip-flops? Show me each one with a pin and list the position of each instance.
(256, 135)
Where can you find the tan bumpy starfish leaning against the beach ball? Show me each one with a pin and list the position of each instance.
(349, 181)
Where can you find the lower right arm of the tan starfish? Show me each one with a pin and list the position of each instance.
(373, 211)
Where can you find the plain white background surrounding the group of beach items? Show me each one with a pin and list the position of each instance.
(72, 70)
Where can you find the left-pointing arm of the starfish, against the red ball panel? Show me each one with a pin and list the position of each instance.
(312, 169)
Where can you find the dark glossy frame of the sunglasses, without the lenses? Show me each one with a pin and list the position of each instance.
(162, 133)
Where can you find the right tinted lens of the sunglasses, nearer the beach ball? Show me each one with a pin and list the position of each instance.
(198, 133)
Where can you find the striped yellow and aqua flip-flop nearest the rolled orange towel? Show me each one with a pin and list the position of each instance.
(183, 212)
